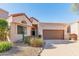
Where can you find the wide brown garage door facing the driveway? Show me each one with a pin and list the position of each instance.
(53, 34)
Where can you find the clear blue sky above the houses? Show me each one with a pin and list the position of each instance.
(44, 12)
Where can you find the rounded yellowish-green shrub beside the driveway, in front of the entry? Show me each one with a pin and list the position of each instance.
(36, 42)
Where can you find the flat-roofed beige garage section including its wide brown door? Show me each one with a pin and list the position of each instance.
(53, 31)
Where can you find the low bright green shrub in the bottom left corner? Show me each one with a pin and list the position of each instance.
(4, 46)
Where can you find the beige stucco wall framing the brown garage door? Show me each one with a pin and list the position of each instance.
(52, 27)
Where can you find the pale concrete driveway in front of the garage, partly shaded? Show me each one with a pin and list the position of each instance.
(60, 48)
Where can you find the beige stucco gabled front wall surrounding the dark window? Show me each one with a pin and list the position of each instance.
(13, 27)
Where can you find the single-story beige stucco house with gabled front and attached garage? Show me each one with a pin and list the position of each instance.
(32, 27)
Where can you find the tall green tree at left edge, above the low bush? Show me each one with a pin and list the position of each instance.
(3, 29)
